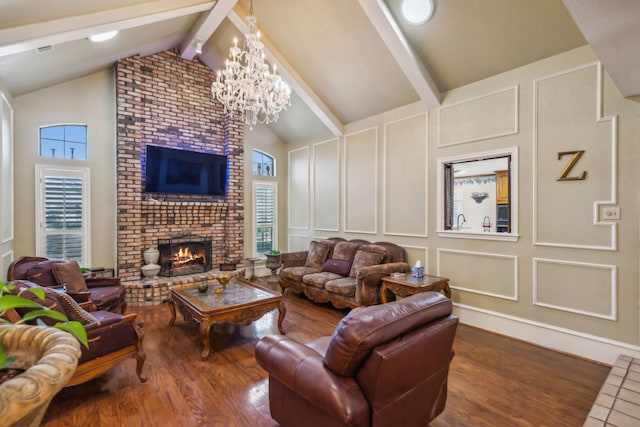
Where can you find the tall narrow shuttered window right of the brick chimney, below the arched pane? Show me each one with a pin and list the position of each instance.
(265, 222)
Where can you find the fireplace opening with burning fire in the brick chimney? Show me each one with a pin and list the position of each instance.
(184, 254)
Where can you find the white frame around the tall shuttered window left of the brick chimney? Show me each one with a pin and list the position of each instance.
(84, 173)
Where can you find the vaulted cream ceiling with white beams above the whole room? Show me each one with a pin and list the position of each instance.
(345, 59)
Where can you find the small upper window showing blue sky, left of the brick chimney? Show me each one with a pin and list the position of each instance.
(64, 141)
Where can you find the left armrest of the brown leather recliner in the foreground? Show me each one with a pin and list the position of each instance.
(300, 369)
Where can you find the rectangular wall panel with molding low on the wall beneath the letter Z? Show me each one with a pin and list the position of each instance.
(598, 287)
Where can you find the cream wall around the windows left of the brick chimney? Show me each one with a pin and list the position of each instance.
(89, 100)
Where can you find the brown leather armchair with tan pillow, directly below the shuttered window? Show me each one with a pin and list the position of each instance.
(106, 293)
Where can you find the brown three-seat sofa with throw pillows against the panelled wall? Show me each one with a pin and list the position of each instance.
(346, 273)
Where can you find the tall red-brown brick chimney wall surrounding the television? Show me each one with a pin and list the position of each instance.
(166, 101)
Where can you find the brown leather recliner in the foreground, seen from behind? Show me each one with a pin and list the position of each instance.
(385, 365)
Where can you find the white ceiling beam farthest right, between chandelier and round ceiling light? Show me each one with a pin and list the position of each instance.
(382, 20)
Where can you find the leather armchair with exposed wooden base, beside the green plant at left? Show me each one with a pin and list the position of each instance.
(112, 337)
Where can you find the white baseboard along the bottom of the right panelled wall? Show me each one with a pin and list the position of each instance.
(553, 337)
